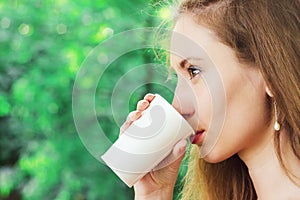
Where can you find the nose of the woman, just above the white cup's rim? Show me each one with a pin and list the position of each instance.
(183, 101)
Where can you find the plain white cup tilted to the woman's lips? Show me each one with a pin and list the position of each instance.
(147, 141)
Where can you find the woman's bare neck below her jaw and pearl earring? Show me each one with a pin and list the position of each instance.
(269, 178)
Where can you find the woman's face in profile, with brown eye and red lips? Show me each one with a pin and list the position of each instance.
(223, 100)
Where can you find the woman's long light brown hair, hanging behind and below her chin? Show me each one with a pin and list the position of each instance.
(263, 33)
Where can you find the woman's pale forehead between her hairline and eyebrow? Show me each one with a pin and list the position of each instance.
(191, 40)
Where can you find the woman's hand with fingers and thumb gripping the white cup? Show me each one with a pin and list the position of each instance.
(157, 184)
